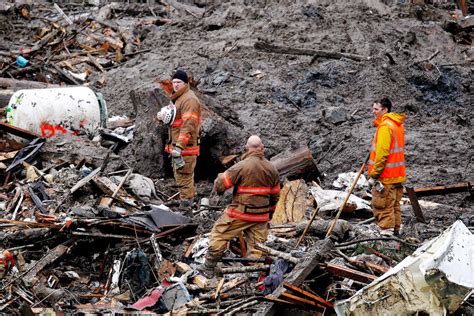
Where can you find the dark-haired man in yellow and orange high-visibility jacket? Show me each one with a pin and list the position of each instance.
(387, 167)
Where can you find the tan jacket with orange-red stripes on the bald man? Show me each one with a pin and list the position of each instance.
(256, 184)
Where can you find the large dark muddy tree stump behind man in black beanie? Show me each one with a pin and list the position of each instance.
(218, 136)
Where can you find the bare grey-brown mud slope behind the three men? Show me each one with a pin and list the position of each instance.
(327, 104)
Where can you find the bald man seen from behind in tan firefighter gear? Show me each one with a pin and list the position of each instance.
(256, 188)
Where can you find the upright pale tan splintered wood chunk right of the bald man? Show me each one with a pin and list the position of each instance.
(291, 205)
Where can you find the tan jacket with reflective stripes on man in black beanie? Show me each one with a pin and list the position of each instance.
(184, 130)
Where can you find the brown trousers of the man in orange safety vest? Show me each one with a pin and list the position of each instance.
(386, 206)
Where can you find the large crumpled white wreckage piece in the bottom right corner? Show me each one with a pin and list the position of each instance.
(434, 280)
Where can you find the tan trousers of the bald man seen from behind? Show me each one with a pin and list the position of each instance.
(227, 227)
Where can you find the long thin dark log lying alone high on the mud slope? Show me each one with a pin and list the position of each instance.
(269, 48)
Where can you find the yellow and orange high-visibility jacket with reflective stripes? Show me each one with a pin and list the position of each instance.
(387, 153)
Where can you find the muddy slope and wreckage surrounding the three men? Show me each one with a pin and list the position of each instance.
(89, 221)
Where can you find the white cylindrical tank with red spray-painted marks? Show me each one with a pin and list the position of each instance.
(57, 111)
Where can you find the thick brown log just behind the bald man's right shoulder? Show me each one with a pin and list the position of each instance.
(298, 163)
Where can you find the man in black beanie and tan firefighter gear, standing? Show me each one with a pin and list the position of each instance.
(183, 144)
